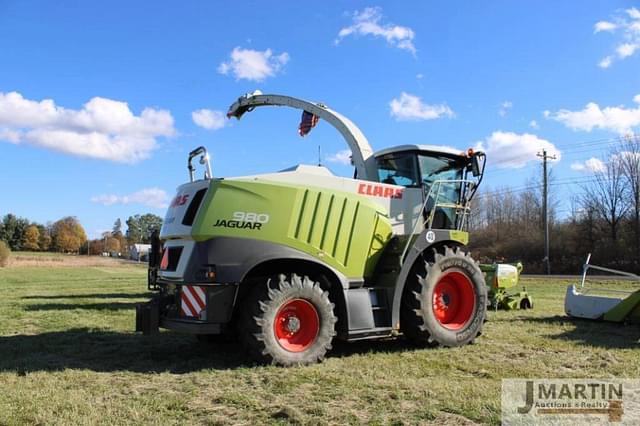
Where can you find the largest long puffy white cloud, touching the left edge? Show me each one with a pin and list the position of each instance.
(102, 128)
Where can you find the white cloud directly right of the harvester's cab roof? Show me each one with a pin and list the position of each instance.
(512, 150)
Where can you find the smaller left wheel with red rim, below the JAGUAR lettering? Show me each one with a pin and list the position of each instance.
(287, 320)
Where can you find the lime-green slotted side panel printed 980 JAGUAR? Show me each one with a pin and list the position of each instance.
(345, 231)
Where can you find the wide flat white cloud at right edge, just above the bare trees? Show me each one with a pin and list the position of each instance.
(616, 119)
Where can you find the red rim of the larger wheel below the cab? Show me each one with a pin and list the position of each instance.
(454, 300)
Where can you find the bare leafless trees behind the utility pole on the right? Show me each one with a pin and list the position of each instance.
(506, 224)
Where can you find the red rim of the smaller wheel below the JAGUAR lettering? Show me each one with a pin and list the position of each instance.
(297, 325)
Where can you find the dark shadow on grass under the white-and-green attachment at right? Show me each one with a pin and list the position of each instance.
(593, 333)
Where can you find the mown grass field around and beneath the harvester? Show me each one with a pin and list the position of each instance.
(68, 355)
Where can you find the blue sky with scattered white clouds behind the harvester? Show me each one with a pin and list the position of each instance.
(97, 100)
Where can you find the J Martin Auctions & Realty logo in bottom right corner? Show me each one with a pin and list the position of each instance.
(567, 401)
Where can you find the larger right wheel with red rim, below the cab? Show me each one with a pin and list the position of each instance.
(445, 301)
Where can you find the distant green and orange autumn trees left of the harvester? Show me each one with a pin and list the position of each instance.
(67, 235)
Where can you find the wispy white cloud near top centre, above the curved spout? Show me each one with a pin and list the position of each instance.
(368, 22)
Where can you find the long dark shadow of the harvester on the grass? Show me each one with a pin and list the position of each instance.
(110, 351)
